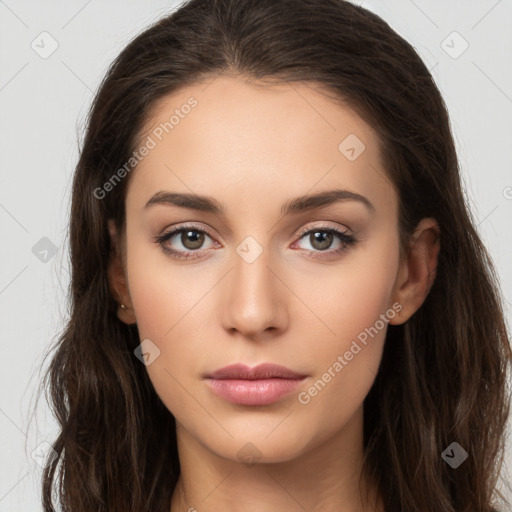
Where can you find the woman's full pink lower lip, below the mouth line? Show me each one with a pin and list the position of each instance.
(253, 392)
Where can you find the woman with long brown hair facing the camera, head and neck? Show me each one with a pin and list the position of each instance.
(279, 298)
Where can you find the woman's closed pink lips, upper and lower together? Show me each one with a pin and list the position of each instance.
(262, 385)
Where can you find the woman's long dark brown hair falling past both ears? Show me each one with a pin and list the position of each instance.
(443, 376)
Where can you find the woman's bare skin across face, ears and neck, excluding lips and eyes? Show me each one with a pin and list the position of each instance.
(253, 148)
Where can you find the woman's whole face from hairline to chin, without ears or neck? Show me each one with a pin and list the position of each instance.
(254, 288)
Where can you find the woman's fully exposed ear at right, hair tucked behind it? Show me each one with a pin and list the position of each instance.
(417, 269)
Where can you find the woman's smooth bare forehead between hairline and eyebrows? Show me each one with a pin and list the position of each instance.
(226, 133)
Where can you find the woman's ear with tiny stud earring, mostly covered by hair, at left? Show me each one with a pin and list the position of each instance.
(117, 277)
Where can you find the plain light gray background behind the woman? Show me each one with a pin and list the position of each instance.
(42, 106)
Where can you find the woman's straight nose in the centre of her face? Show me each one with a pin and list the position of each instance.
(255, 298)
